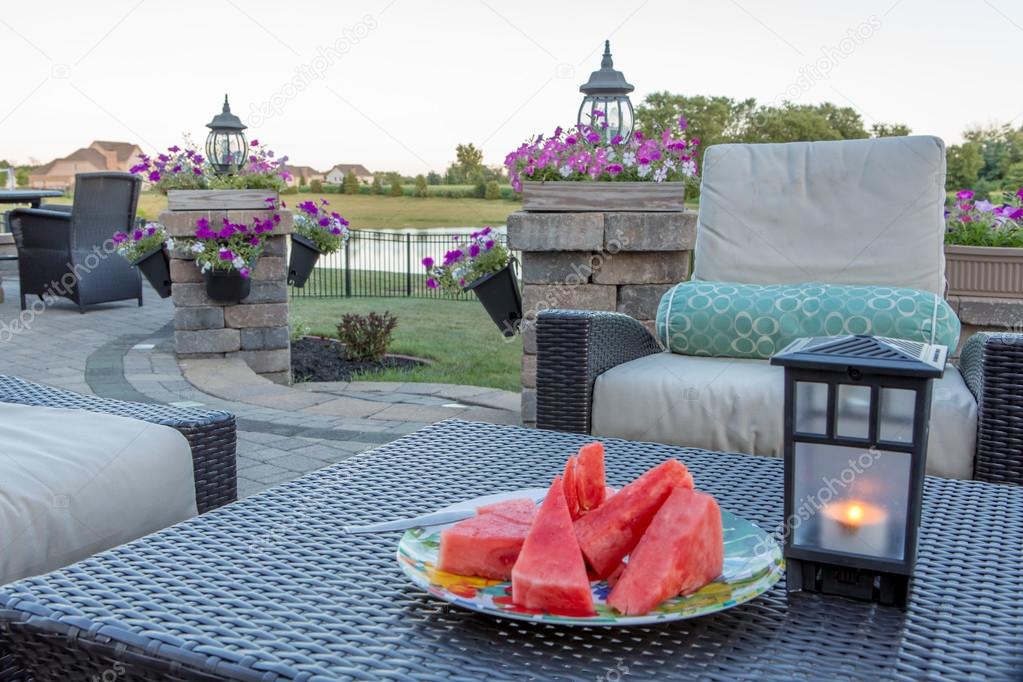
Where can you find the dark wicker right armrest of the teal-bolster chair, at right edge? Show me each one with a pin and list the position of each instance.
(993, 368)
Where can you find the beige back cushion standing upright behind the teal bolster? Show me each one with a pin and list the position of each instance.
(852, 212)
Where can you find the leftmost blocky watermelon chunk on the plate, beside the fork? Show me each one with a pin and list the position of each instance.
(486, 547)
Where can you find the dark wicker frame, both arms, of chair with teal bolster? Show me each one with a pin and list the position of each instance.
(574, 347)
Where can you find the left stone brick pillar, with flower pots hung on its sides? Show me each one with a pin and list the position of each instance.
(255, 330)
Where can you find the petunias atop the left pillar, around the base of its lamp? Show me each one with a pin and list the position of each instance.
(187, 169)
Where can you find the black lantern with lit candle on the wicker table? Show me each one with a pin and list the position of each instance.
(857, 413)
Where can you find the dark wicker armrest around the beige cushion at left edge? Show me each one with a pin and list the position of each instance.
(211, 434)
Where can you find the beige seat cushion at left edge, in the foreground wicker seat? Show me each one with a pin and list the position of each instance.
(76, 483)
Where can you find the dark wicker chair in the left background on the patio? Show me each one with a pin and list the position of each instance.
(62, 250)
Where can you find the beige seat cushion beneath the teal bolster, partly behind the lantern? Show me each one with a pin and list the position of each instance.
(736, 406)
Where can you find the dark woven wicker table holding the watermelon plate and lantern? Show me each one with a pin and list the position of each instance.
(272, 588)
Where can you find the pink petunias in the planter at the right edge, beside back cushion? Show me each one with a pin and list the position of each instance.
(972, 222)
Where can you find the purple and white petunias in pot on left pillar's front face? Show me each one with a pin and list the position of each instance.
(231, 247)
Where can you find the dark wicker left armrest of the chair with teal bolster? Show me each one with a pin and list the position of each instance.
(574, 347)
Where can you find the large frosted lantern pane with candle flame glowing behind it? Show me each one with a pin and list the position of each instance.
(851, 501)
